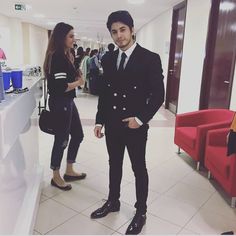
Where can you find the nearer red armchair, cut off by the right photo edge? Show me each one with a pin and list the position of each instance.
(220, 166)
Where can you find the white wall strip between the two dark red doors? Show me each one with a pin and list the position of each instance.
(193, 54)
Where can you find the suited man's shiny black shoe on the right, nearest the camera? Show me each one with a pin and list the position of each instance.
(136, 224)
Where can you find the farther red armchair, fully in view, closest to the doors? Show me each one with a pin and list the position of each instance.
(191, 129)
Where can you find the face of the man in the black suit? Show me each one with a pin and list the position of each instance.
(122, 35)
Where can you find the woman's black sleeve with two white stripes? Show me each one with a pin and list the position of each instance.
(59, 72)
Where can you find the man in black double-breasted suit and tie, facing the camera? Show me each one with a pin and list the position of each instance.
(132, 93)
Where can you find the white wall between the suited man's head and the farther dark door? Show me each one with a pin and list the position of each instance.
(155, 36)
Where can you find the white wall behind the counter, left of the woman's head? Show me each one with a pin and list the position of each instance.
(23, 43)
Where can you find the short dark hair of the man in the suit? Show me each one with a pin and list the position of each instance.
(120, 16)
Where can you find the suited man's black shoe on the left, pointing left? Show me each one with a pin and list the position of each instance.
(105, 209)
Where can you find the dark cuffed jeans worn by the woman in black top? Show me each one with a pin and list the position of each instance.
(67, 122)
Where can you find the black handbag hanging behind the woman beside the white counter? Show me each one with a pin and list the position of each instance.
(46, 120)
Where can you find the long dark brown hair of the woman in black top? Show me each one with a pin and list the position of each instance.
(56, 44)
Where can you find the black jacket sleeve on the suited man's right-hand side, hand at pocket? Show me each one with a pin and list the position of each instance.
(156, 89)
